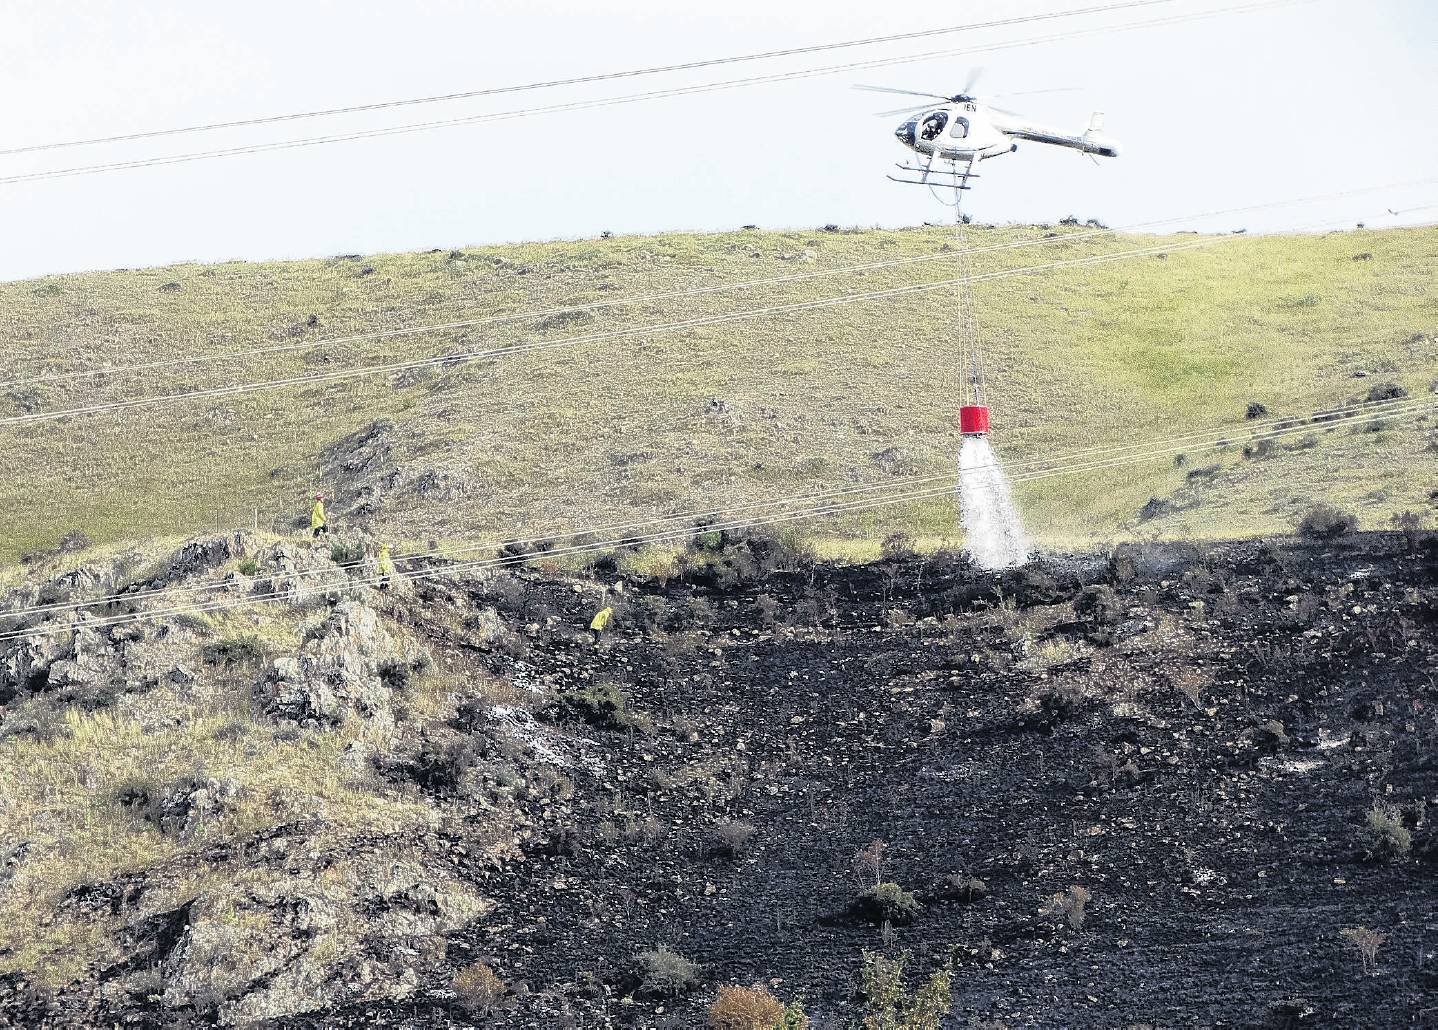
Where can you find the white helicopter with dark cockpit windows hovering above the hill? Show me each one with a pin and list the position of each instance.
(964, 130)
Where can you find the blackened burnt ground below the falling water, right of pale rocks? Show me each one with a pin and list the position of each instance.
(1194, 737)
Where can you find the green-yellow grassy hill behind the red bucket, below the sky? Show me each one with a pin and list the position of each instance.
(1117, 353)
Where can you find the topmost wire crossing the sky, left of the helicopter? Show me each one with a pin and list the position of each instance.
(587, 80)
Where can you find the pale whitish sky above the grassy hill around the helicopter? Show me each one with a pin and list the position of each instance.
(1214, 114)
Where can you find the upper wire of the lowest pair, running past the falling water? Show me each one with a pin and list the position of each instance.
(1278, 428)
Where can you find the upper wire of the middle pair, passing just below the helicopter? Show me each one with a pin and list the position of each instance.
(695, 291)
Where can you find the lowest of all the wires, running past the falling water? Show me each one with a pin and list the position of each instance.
(671, 534)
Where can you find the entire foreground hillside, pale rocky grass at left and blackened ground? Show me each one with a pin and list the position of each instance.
(446, 806)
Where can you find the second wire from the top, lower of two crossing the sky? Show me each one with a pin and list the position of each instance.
(629, 99)
